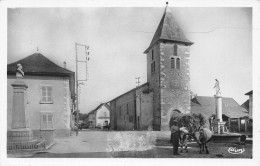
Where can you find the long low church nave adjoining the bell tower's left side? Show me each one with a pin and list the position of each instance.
(132, 110)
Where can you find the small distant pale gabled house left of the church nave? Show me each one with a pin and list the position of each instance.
(99, 117)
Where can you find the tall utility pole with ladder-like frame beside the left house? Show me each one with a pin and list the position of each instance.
(79, 82)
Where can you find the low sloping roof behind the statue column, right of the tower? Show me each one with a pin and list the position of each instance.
(206, 106)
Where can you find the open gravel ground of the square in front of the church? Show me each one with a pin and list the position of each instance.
(128, 144)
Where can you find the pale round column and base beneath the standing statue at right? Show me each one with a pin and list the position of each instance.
(218, 124)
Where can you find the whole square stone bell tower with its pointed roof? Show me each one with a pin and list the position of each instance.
(168, 71)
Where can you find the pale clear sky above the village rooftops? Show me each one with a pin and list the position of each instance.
(118, 36)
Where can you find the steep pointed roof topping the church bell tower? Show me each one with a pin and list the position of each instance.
(168, 30)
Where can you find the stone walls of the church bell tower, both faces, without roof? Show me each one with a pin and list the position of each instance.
(171, 87)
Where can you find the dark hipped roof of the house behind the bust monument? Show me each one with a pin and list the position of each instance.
(37, 64)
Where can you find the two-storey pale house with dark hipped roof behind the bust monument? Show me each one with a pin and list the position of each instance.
(50, 87)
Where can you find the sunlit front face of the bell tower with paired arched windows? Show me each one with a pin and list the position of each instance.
(174, 83)
